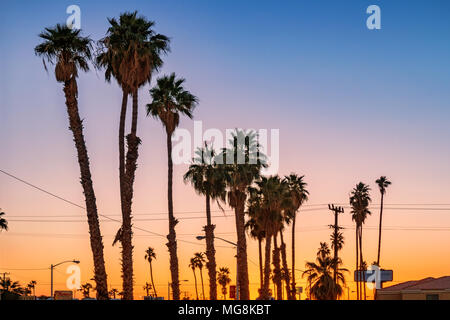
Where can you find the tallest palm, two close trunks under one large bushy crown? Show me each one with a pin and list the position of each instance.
(131, 53)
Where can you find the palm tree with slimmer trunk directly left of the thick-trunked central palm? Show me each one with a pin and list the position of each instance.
(207, 179)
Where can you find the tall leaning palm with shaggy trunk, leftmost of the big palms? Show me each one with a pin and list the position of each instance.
(70, 52)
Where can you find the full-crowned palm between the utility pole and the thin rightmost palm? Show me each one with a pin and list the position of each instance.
(359, 202)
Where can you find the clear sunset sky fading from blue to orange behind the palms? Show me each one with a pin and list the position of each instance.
(351, 104)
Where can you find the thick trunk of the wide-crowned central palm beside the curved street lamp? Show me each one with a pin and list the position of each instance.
(244, 293)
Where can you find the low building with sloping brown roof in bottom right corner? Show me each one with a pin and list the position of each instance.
(425, 289)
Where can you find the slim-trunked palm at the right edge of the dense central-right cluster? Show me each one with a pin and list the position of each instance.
(299, 195)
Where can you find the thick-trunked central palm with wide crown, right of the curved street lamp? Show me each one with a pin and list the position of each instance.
(241, 164)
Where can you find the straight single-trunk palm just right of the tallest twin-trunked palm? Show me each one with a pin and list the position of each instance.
(169, 101)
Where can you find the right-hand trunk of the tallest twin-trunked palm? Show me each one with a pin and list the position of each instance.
(130, 169)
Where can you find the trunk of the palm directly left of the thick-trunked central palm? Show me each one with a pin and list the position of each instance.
(210, 252)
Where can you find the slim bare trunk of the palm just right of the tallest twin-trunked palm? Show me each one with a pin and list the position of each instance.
(171, 237)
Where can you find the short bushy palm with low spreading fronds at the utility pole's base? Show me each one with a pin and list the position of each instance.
(320, 275)
